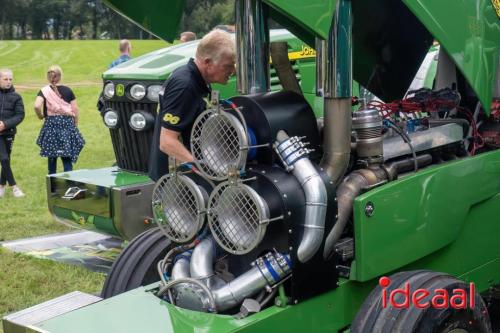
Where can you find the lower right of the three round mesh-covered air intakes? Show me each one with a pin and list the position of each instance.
(238, 217)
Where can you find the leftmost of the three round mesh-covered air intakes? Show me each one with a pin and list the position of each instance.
(179, 207)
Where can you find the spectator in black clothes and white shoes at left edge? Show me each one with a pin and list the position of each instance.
(11, 114)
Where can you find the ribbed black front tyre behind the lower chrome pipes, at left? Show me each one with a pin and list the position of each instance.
(136, 265)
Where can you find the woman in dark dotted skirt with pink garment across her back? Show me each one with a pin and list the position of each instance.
(59, 136)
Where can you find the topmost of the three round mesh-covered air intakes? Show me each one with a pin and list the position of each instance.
(219, 144)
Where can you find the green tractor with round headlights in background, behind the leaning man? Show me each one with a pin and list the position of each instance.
(116, 200)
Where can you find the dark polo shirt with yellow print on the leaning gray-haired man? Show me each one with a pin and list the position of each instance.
(182, 101)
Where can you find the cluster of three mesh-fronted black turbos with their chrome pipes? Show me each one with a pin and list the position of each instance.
(254, 210)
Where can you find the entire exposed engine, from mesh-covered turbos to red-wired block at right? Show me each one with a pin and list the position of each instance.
(257, 212)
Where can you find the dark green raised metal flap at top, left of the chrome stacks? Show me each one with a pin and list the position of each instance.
(160, 18)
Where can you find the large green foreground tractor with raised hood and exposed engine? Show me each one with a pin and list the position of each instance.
(379, 220)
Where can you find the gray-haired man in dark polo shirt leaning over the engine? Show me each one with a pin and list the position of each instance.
(184, 96)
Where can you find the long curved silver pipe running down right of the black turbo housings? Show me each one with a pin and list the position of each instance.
(294, 155)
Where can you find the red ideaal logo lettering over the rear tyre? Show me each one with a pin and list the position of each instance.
(401, 298)
